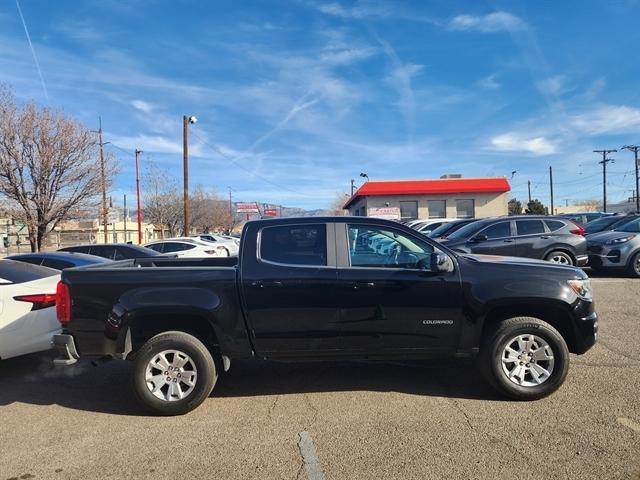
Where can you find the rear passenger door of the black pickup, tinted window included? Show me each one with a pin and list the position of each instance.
(289, 287)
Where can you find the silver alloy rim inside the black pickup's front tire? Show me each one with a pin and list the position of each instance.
(527, 360)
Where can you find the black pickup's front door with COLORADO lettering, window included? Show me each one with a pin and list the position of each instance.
(390, 300)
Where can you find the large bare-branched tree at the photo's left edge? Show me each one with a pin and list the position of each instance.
(48, 165)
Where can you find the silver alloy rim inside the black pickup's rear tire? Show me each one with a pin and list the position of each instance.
(171, 375)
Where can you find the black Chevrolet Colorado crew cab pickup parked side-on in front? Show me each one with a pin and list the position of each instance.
(325, 288)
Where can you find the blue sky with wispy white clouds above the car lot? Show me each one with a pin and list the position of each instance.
(295, 98)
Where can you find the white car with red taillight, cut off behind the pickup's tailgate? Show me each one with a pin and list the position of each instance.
(27, 308)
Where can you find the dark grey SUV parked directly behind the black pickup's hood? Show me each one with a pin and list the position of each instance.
(558, 240)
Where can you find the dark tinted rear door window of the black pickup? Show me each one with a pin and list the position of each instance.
(294, 245)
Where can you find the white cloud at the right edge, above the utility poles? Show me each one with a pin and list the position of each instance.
(608, 119)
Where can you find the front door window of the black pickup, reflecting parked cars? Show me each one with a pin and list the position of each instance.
(380, 247)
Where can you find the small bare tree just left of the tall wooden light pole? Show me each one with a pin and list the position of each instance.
(161, 200)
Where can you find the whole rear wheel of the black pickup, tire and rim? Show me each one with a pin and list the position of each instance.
(185, 362)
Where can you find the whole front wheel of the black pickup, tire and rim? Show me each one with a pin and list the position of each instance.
(497, 366)
